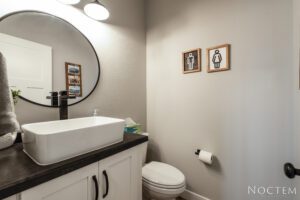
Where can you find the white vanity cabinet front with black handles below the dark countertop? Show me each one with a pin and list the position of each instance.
(119, 177)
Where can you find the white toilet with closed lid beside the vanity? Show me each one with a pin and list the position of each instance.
(161, 181)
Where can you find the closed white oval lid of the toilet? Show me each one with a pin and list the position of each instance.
(162, 174)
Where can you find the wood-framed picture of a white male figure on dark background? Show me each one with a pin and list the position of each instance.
(191, 61)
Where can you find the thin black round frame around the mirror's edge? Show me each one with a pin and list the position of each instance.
(99, 68)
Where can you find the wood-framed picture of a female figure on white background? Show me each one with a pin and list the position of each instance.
(218, 58)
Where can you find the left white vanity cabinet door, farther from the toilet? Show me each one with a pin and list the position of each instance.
(77, 185)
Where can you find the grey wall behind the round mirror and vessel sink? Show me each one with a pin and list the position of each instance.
(120, 44)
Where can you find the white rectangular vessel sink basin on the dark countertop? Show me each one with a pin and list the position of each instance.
(51, 142)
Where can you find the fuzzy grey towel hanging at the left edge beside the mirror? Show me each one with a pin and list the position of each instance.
(8, 120)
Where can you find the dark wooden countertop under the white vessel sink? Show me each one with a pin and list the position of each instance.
(18, 172)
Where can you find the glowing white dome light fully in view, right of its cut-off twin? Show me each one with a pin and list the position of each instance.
(96, 11)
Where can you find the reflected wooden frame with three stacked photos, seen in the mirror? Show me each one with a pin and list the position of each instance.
(73, 79)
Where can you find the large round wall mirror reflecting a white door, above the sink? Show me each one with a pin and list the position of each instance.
(46, 54)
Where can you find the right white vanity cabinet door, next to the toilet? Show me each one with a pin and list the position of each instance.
(120, 176)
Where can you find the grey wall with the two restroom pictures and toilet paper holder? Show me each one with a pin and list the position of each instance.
(243, 116)
